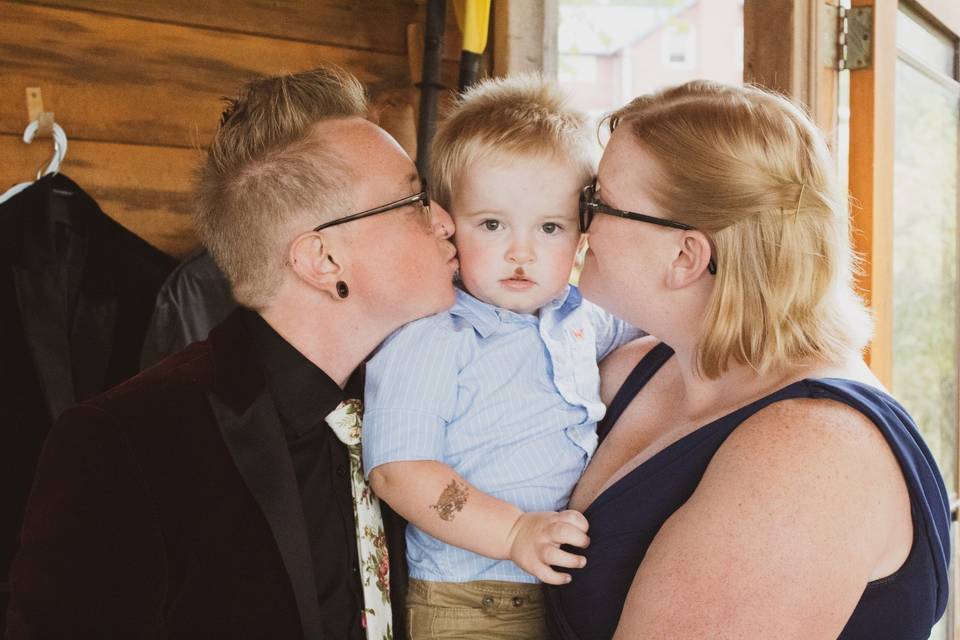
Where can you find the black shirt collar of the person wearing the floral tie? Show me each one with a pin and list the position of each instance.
(302, 392)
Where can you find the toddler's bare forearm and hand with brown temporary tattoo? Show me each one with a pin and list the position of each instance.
(436, 499)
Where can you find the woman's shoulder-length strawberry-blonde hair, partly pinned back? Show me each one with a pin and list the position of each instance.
(749, 169)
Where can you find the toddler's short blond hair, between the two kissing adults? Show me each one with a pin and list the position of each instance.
(523, 115)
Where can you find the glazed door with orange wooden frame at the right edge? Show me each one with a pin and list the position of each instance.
(904, 151)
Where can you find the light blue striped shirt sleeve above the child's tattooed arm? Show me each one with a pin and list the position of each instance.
(411, 393)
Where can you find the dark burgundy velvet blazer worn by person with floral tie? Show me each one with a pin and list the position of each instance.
(168, 508)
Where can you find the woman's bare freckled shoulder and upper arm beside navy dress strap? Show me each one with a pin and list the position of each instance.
(798, 486)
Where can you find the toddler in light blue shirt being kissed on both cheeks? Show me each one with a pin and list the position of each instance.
(479, 420)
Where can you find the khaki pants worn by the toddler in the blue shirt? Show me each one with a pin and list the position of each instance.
(485, 610)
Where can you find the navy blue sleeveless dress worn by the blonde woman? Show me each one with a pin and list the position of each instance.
(625, 518)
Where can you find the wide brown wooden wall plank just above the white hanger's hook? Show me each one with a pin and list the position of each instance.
(135, 81)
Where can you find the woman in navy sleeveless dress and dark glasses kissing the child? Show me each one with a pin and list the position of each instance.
(754, 479)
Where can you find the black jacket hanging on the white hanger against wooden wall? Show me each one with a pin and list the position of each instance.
(76, 294)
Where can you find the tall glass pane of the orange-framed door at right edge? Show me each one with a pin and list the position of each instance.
(925, 235)
